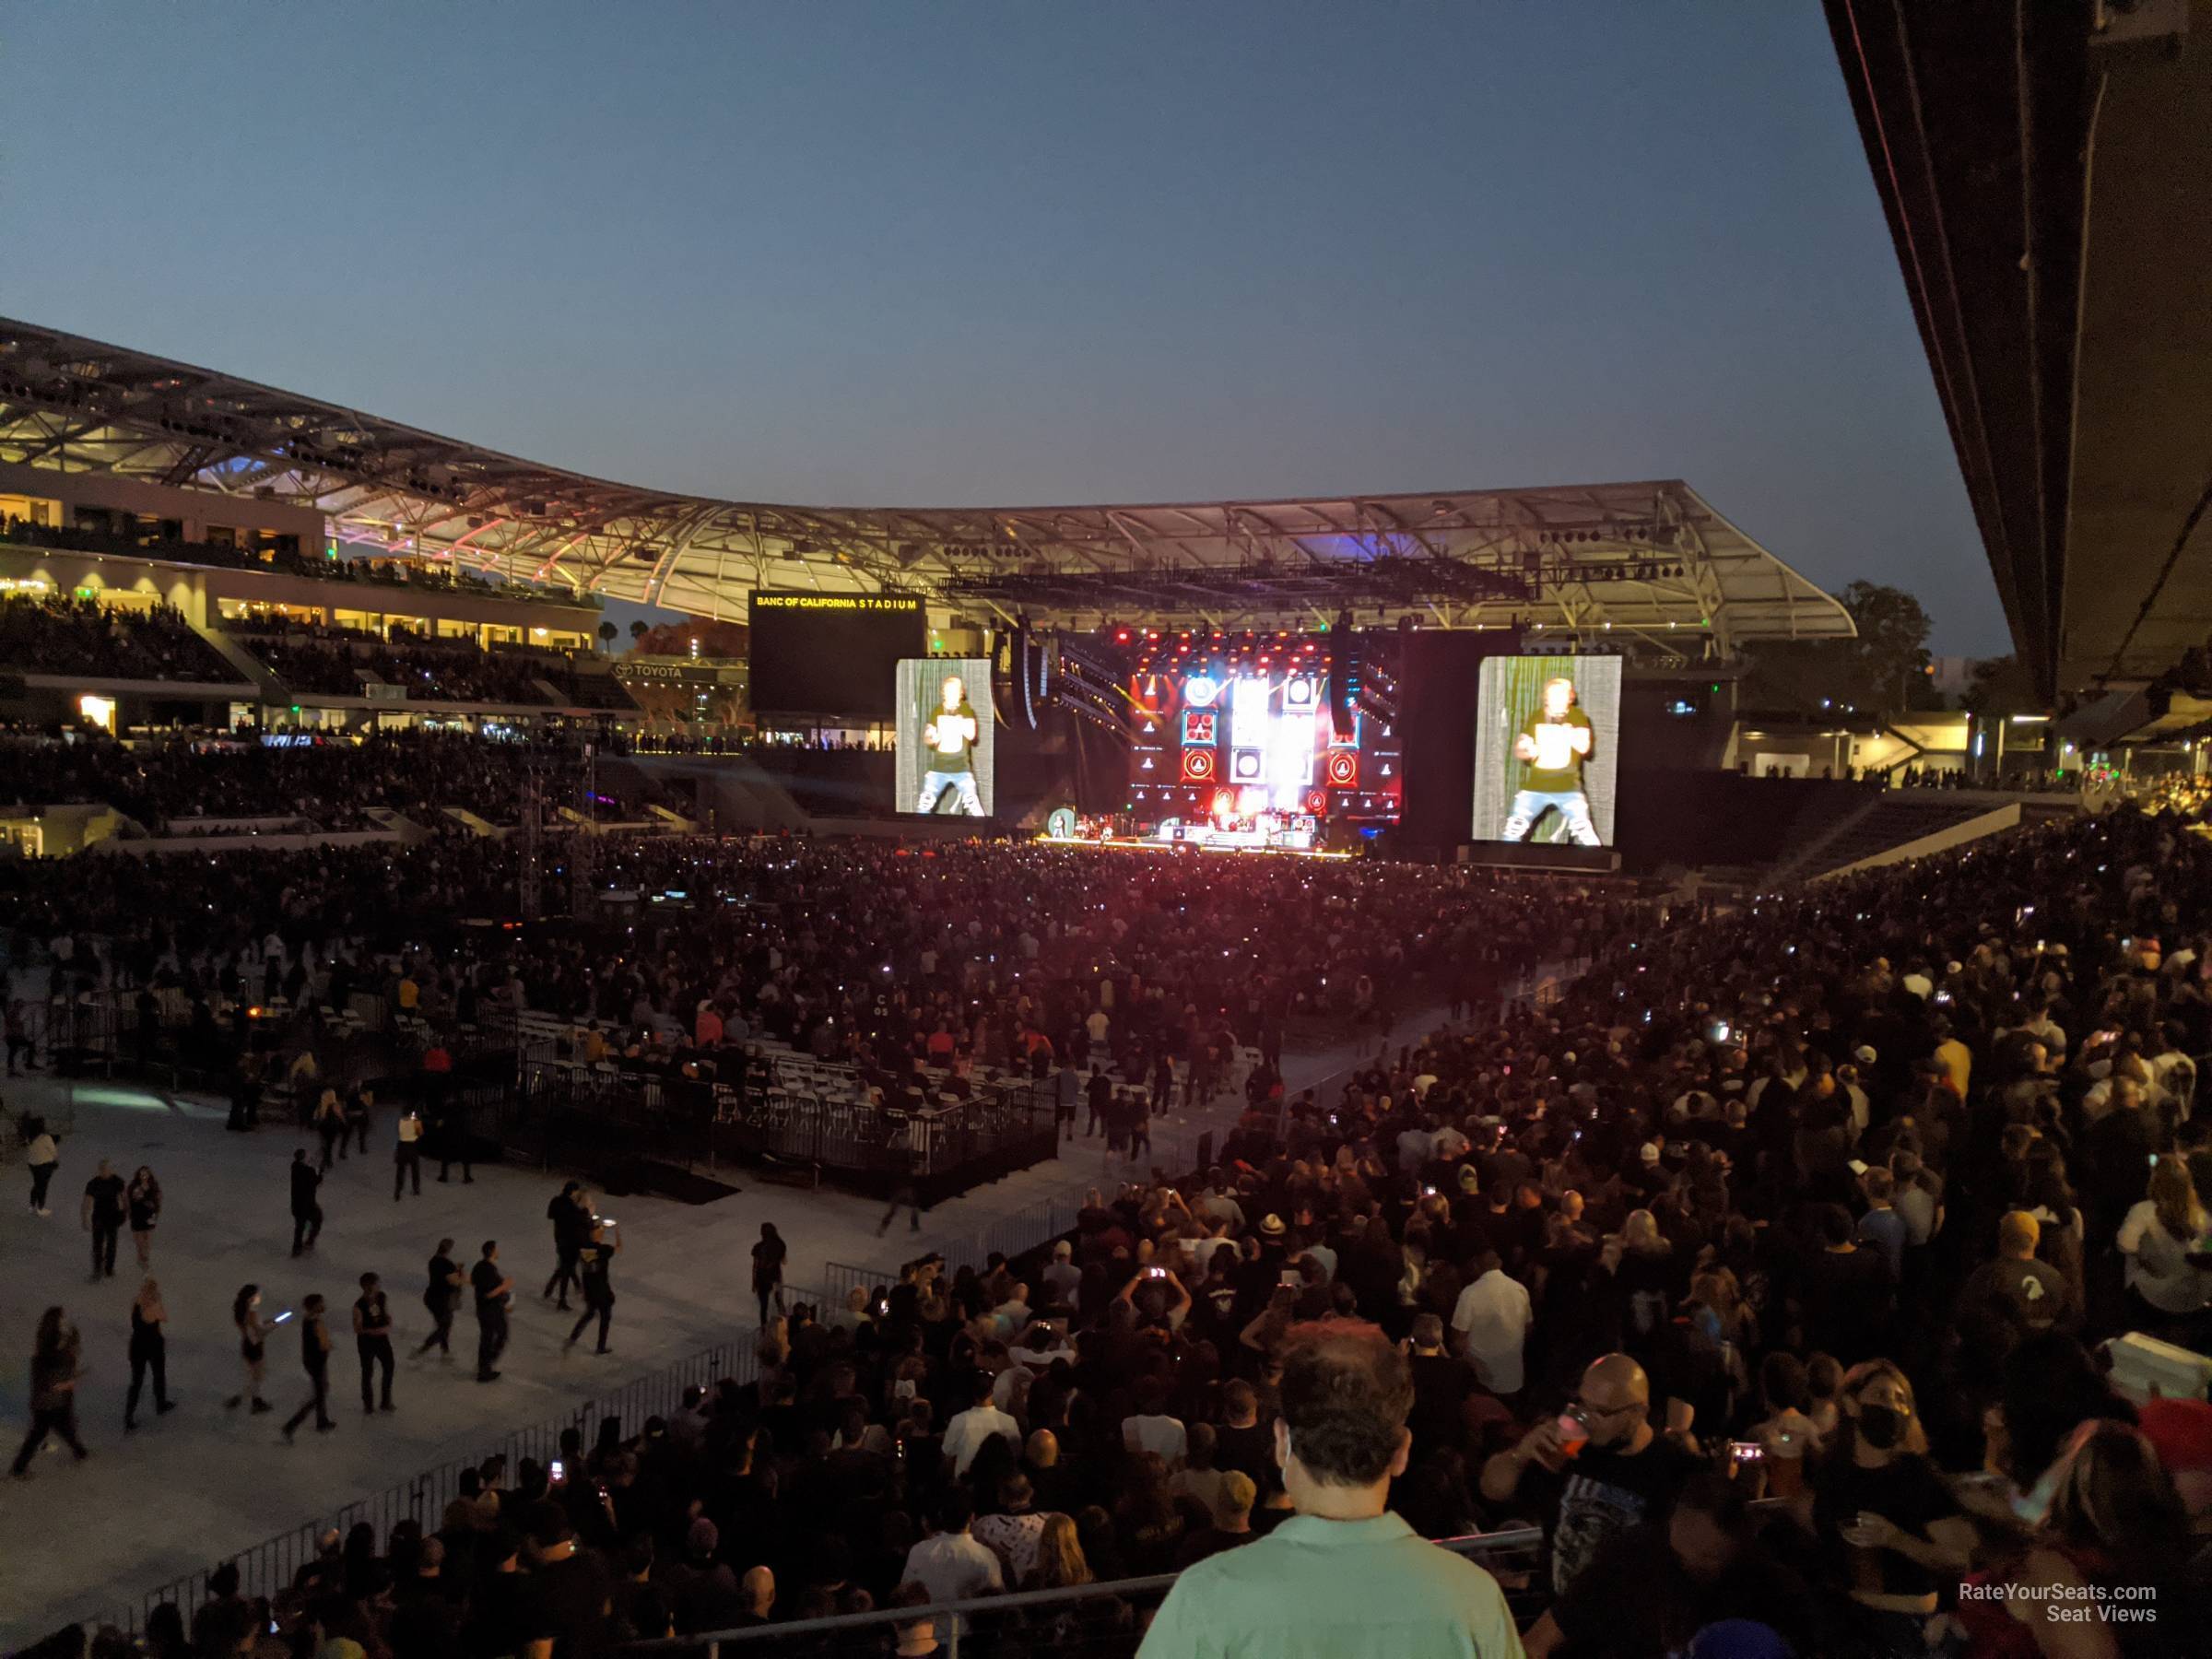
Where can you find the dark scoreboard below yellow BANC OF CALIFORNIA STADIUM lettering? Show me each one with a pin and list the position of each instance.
(831, 654)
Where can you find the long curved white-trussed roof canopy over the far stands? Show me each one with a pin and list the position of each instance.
(1649, 559)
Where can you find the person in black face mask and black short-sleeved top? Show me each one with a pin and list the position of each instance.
(1888, 1530)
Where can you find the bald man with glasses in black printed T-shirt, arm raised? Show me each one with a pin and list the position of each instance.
(1596, 1470)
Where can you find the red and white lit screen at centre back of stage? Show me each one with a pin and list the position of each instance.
(1246, 749)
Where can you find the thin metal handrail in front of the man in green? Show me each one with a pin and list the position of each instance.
(1083, 1623)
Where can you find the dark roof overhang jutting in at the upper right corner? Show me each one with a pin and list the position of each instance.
(2047, 174)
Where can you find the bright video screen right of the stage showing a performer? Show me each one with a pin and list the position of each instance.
(1547, 733)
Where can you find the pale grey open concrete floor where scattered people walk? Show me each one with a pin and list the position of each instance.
(198, 1485)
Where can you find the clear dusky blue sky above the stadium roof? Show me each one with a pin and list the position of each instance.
(959, 253)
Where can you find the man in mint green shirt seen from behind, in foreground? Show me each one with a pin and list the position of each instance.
(1342, 1578)
